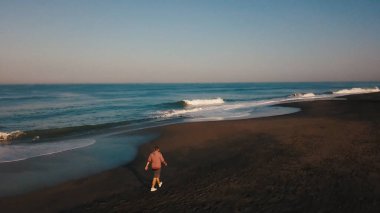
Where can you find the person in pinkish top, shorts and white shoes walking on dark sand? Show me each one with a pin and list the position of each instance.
(155, 159)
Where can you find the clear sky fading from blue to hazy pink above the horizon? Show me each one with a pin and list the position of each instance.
(89, 41)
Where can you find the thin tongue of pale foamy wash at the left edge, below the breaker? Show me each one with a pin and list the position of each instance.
(18, 152)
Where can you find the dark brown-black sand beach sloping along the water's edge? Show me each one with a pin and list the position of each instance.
(325, 158)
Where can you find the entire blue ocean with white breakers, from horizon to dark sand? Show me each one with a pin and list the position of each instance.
(53, 133)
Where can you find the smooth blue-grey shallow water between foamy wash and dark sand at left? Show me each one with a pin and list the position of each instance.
(107, 152)
